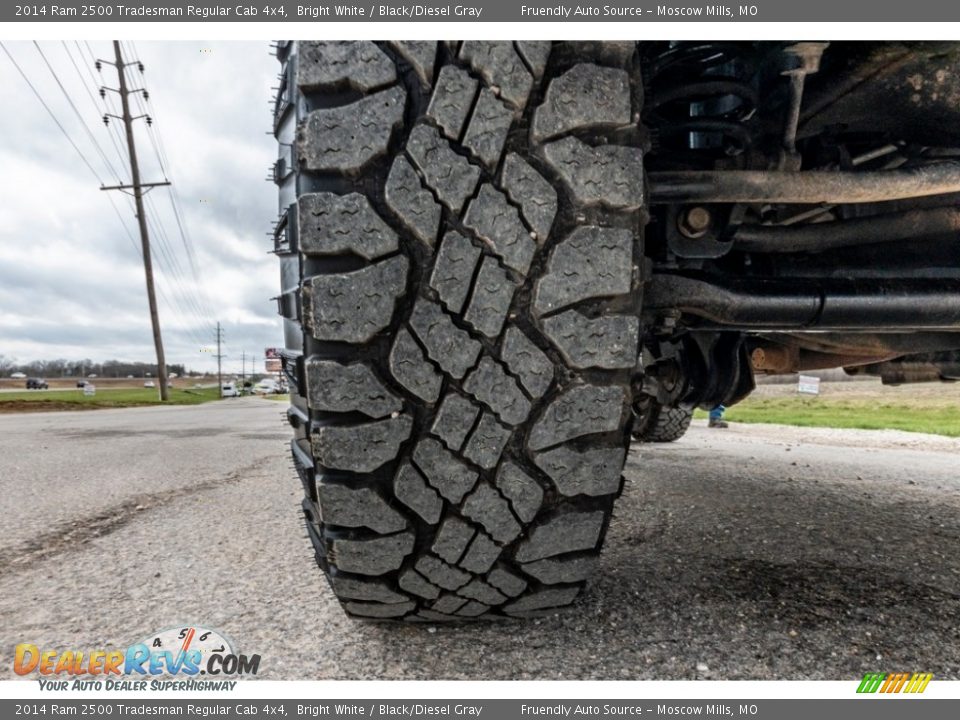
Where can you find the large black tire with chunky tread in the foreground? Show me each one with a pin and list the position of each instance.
(462, 289)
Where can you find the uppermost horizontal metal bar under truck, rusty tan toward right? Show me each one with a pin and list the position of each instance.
(815, 186)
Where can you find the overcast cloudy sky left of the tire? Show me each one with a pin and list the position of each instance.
(71, 279)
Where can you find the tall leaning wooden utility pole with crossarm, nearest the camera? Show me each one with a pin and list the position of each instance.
(137, 188)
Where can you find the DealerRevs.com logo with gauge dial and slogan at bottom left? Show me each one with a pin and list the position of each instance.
(188, 657)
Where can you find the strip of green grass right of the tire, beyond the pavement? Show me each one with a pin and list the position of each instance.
(912, 415)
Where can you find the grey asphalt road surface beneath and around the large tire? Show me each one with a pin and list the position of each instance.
(755, 552)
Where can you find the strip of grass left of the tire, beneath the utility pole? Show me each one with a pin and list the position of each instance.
(34, 400)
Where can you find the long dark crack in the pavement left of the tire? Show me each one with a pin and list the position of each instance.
(76, 534)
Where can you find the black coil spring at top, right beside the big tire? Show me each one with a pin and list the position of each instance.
(700, 97)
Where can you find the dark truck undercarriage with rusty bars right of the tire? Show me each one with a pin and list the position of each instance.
(803, 214)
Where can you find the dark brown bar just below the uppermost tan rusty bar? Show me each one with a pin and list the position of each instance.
(817, 237)
